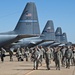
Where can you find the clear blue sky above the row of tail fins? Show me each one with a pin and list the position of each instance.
(62, 12)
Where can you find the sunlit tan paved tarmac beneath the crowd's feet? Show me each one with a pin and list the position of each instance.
(26, 68)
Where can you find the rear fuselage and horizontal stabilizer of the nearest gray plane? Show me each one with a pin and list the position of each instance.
(8, 39)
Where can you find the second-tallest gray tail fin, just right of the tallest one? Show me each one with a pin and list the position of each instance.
(48, 32)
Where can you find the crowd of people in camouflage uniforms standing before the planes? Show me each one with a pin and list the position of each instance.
(64, 56)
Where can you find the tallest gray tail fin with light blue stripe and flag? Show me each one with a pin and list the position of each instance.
(28, 22)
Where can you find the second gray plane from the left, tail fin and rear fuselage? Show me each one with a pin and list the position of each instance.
(47, 35)
